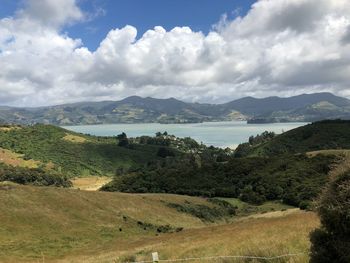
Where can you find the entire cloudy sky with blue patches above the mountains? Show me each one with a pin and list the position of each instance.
(54, 52)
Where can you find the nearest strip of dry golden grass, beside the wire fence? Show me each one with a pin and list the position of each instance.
(256, 237)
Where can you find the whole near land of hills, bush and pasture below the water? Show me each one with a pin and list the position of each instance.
(72, 197)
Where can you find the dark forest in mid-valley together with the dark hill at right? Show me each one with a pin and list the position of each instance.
(268, 167)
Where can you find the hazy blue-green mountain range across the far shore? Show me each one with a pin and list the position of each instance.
(306, 107)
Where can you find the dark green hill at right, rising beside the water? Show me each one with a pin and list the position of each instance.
(329, 134)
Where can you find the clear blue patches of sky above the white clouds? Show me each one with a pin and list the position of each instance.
(105, 15)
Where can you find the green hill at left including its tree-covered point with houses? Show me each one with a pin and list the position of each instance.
(56, 150)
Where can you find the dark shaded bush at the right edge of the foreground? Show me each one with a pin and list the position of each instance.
(331, 242)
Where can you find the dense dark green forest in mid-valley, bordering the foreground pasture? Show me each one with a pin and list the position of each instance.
(294, 179)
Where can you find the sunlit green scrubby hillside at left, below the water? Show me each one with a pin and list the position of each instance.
(70, 153)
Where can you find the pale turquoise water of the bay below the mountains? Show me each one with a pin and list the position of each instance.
(220, 134)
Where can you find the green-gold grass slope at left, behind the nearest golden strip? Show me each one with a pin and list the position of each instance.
(57, 222)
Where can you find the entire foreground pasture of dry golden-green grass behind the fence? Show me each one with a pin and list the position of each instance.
(46, 224)
